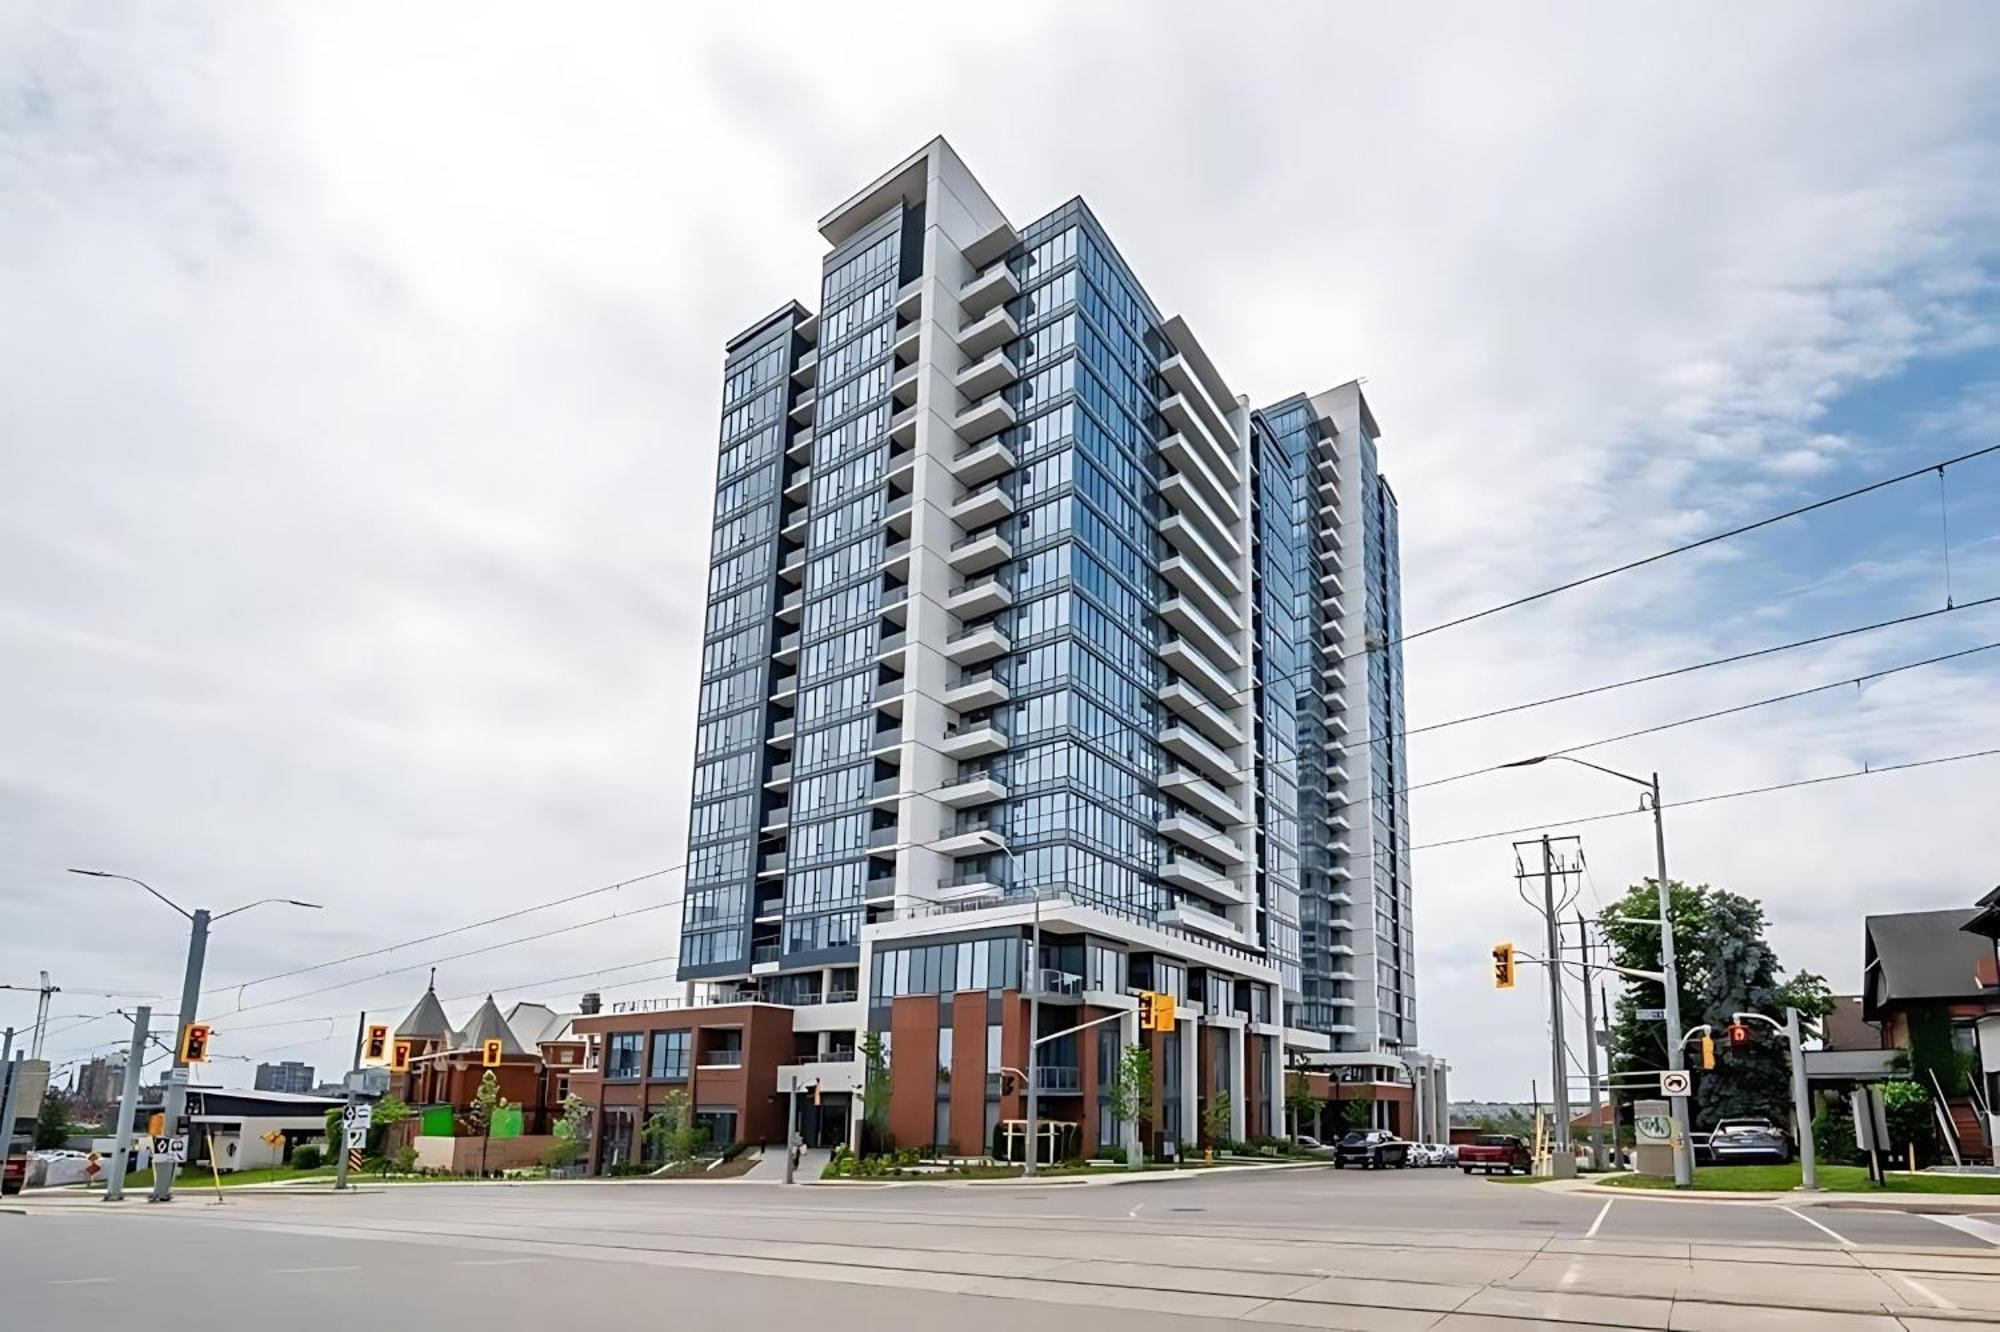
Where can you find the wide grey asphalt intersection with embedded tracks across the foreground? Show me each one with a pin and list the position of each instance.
(1421, 1249)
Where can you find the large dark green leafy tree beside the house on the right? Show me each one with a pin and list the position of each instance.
(1727, 967)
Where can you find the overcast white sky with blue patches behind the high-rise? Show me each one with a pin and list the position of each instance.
(359, 379)
